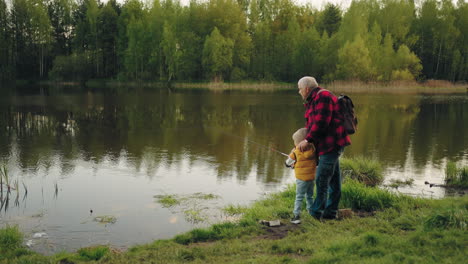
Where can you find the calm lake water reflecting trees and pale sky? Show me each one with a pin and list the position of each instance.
(113, 152)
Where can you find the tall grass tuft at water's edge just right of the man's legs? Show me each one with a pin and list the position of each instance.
(365, 170)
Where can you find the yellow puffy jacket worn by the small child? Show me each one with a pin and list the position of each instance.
(306, 163)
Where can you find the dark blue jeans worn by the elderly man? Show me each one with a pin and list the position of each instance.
(328, 181)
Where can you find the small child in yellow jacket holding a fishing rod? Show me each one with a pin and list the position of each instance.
(304, 164)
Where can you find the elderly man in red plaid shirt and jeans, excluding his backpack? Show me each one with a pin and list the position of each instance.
(325, 130)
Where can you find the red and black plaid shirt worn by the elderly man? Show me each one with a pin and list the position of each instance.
(323, 122)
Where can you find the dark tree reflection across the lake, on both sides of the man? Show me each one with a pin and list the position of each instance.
(161, 128)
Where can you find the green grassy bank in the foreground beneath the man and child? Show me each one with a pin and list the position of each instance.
(382, 228)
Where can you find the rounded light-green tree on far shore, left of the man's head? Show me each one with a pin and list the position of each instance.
(217, 55)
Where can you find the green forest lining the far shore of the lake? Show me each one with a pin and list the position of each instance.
(232, 40)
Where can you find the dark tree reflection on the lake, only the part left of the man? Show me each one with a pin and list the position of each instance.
(158, 129)
